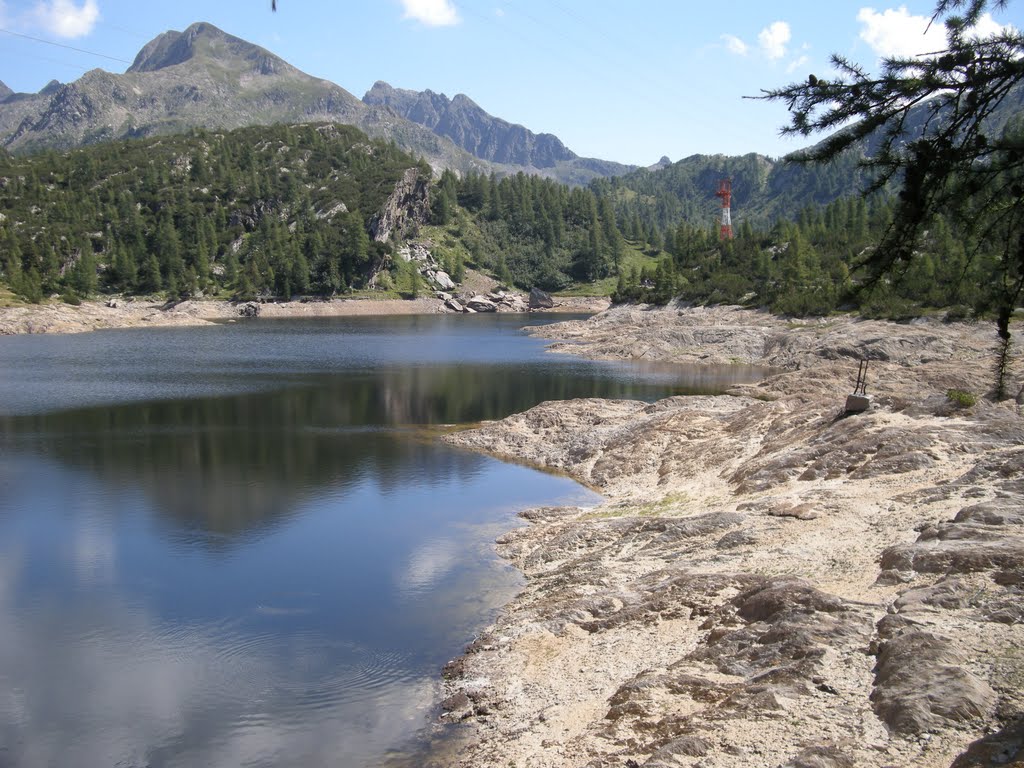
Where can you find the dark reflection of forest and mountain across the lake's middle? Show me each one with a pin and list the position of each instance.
(227, 465)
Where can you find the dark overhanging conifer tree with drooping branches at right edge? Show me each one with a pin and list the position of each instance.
(956, 164)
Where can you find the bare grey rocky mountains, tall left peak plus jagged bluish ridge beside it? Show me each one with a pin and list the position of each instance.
(204, 77)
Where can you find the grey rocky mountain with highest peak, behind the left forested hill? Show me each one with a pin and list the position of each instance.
(202, 77)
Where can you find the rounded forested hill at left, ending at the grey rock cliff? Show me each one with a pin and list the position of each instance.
(285, 209)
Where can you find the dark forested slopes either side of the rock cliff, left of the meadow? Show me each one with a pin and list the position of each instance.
(279, 211)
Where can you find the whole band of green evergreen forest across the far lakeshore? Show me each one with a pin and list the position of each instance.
(287, 211)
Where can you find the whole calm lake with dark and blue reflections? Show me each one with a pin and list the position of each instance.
(242, 546)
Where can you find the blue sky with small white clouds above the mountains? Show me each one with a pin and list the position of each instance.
(626, 81)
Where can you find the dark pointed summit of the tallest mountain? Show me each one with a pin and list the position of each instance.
(204, 40)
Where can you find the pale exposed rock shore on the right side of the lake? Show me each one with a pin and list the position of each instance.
(770, 582)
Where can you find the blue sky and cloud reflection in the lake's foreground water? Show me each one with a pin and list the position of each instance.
(319, 646)
